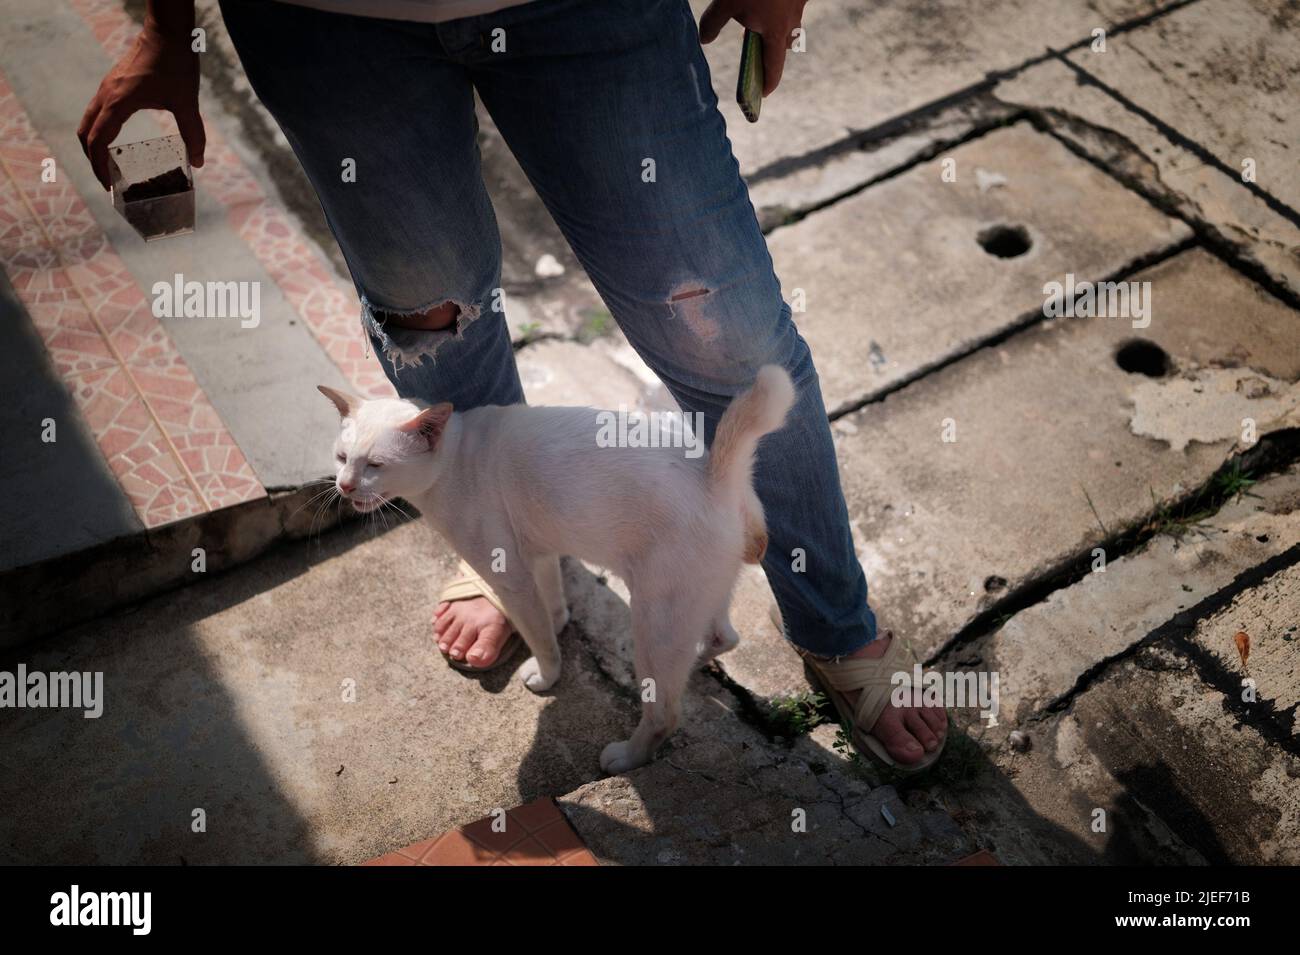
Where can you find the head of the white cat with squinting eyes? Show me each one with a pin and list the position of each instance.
(384, 448)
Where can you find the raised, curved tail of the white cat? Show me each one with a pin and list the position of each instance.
(731, 462)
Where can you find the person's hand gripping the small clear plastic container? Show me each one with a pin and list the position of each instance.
(161, 72)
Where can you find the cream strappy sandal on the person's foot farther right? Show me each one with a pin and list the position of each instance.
(876, 681)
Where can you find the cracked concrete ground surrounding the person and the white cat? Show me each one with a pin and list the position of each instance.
(1100, 511)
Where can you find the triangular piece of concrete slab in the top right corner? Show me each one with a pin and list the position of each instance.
(1219, 73)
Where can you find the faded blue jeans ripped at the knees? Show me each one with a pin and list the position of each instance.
(592, 98)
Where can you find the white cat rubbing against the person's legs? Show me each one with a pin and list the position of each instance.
(514, 488)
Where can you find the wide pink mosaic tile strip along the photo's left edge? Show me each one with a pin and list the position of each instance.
(164, 442)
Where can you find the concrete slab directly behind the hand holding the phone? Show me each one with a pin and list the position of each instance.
(865, 66)
